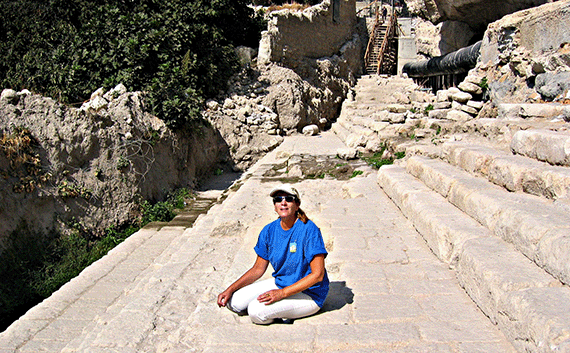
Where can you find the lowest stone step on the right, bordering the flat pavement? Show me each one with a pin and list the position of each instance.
(530, 306)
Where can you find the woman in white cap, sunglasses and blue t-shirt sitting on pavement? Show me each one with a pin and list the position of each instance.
(294, 246)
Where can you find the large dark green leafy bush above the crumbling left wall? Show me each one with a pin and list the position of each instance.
(179, 52)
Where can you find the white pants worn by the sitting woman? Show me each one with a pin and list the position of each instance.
(293, 307)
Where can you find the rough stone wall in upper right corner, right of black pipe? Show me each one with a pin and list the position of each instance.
(525, 56)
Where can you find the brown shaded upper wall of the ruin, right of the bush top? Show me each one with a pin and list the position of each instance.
(313, 33)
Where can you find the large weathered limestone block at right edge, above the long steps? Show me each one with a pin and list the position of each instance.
(544, 145)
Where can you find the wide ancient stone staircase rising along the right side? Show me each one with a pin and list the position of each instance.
(493, 204)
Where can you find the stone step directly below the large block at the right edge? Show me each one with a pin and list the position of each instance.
(513, 172)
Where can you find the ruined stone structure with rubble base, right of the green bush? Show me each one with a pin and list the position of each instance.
(308, 60)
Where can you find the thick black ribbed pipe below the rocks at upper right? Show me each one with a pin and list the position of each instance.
(456, 62)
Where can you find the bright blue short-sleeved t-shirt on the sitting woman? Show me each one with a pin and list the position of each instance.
(290, 252)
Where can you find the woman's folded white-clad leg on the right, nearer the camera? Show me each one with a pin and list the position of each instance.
(293, 307)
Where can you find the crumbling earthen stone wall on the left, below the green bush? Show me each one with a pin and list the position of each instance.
(89, 168)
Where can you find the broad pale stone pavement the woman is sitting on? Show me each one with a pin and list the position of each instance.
(156, 292)
